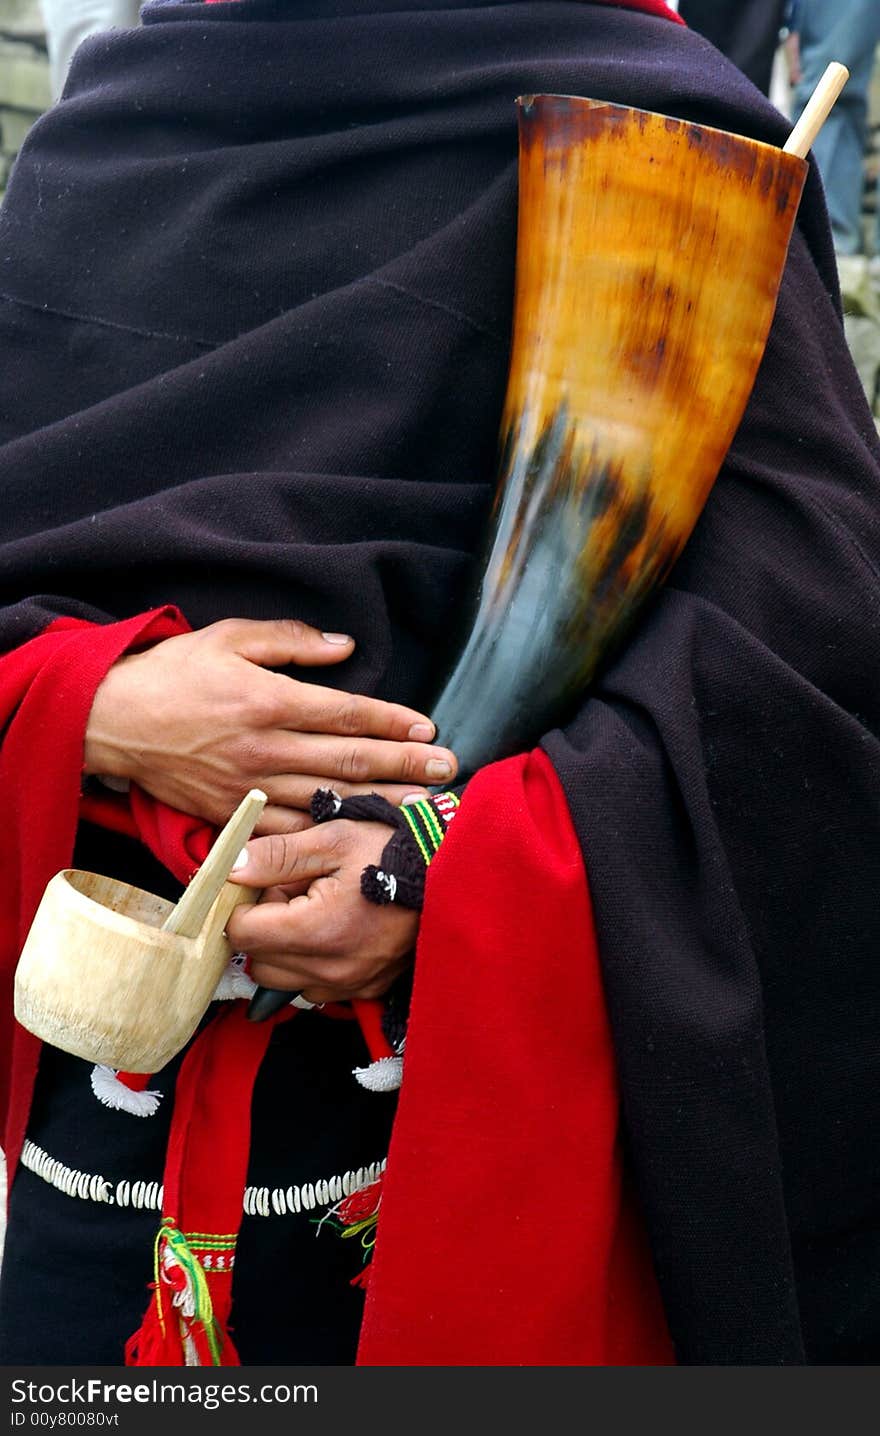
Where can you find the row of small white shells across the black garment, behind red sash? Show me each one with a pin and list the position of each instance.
(259, 1201)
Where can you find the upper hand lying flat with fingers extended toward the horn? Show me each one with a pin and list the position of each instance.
(202, 719)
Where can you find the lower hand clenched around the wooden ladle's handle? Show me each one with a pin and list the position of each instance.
(314, 933)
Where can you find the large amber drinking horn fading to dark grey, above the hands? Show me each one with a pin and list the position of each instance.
(650, 255)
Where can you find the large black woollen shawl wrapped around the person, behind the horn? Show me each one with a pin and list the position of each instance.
(255, 305)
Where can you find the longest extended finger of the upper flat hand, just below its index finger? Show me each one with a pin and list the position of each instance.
(364, 762)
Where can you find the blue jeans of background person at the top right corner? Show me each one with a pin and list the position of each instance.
(846, 31)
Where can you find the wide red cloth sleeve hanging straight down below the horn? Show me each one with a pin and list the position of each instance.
(507, 1236)
